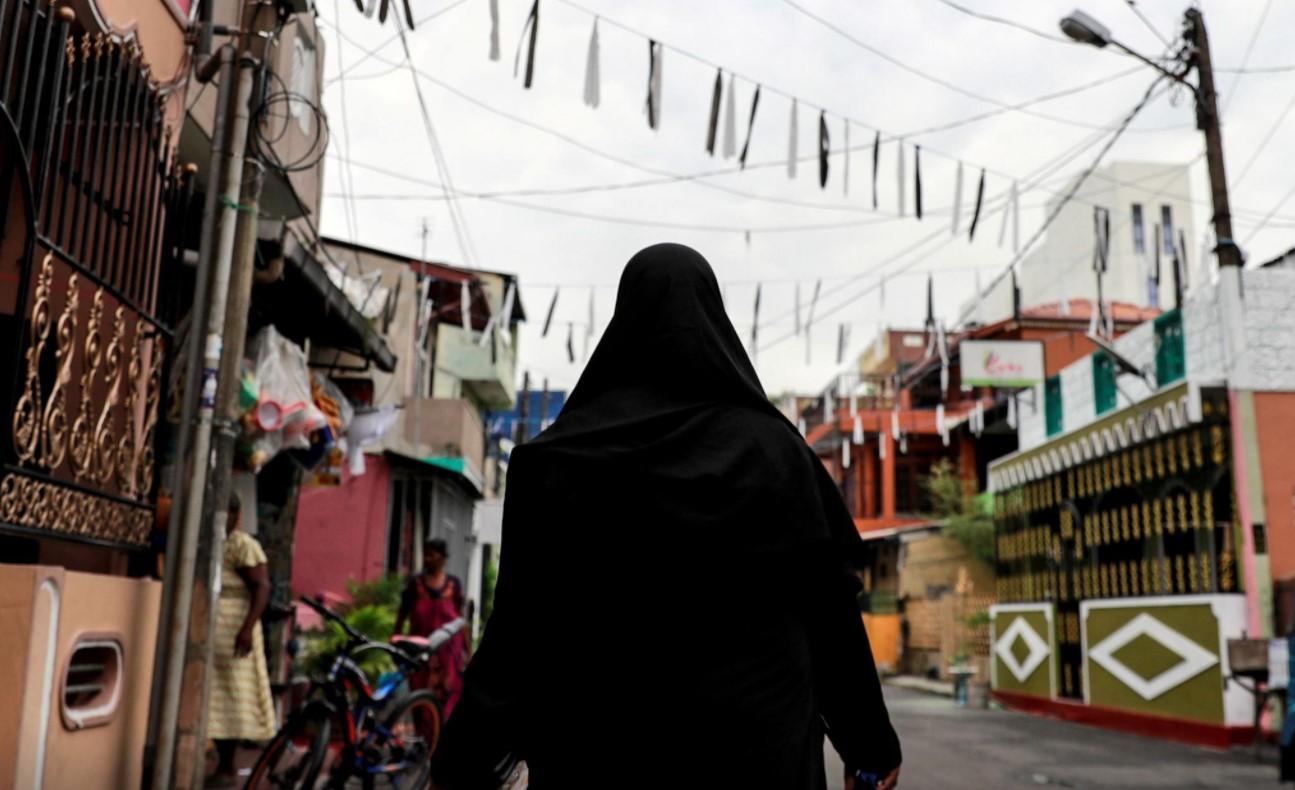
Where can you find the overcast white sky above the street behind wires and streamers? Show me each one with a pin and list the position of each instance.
(564, 195)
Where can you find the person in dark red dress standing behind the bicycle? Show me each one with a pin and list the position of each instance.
(431, 600)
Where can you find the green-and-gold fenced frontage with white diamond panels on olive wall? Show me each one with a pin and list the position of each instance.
(1118, 576)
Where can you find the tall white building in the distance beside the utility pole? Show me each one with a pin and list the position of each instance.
(1140, 196)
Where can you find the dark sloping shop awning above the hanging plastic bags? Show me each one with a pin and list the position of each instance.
(306, 304)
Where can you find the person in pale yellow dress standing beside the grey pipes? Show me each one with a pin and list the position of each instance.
(242, 706)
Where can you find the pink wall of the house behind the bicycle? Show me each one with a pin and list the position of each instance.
(341, 533)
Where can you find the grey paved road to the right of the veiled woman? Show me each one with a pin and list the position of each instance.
(946, 747)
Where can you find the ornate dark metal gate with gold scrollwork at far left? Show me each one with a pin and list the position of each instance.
(86, 175)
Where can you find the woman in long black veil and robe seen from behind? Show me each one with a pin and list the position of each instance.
(709, 634)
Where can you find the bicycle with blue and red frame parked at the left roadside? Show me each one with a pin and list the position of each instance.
(383, 734)
